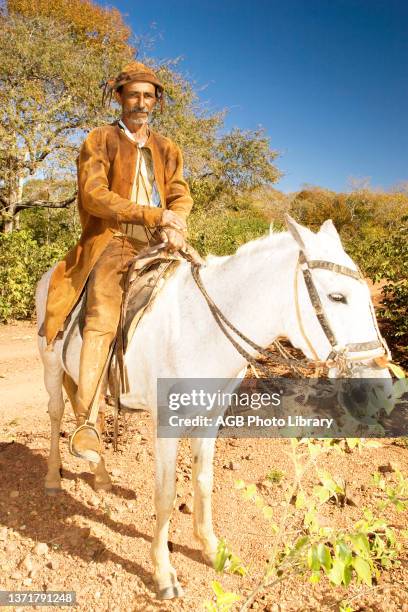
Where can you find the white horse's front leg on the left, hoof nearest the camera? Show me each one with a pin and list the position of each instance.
(165, 576)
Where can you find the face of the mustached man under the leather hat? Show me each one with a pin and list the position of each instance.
(138, 101)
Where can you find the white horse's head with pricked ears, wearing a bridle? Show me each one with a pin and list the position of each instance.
(335, 319)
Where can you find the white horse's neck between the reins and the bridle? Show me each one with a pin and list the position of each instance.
(254, 287)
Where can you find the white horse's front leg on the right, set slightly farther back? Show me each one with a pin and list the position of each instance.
(203, 455)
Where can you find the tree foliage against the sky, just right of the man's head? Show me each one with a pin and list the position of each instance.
(219, 167)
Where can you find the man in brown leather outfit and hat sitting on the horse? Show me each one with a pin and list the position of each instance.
(131, 193)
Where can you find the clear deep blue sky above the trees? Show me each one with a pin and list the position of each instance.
(327, 79)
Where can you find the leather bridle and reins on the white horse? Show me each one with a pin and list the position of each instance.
(340, 357)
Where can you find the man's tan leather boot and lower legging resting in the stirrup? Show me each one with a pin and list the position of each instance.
(86, 440)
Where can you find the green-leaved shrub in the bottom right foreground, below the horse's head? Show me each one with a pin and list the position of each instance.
(303, 547)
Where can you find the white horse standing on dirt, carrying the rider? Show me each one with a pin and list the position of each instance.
(262, 291)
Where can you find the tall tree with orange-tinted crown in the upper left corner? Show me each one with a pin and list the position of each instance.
(50, 87)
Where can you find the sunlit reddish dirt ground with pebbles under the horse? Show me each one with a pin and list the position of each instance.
(98, 544)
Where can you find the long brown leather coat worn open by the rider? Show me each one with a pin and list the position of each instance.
(106, 168)
